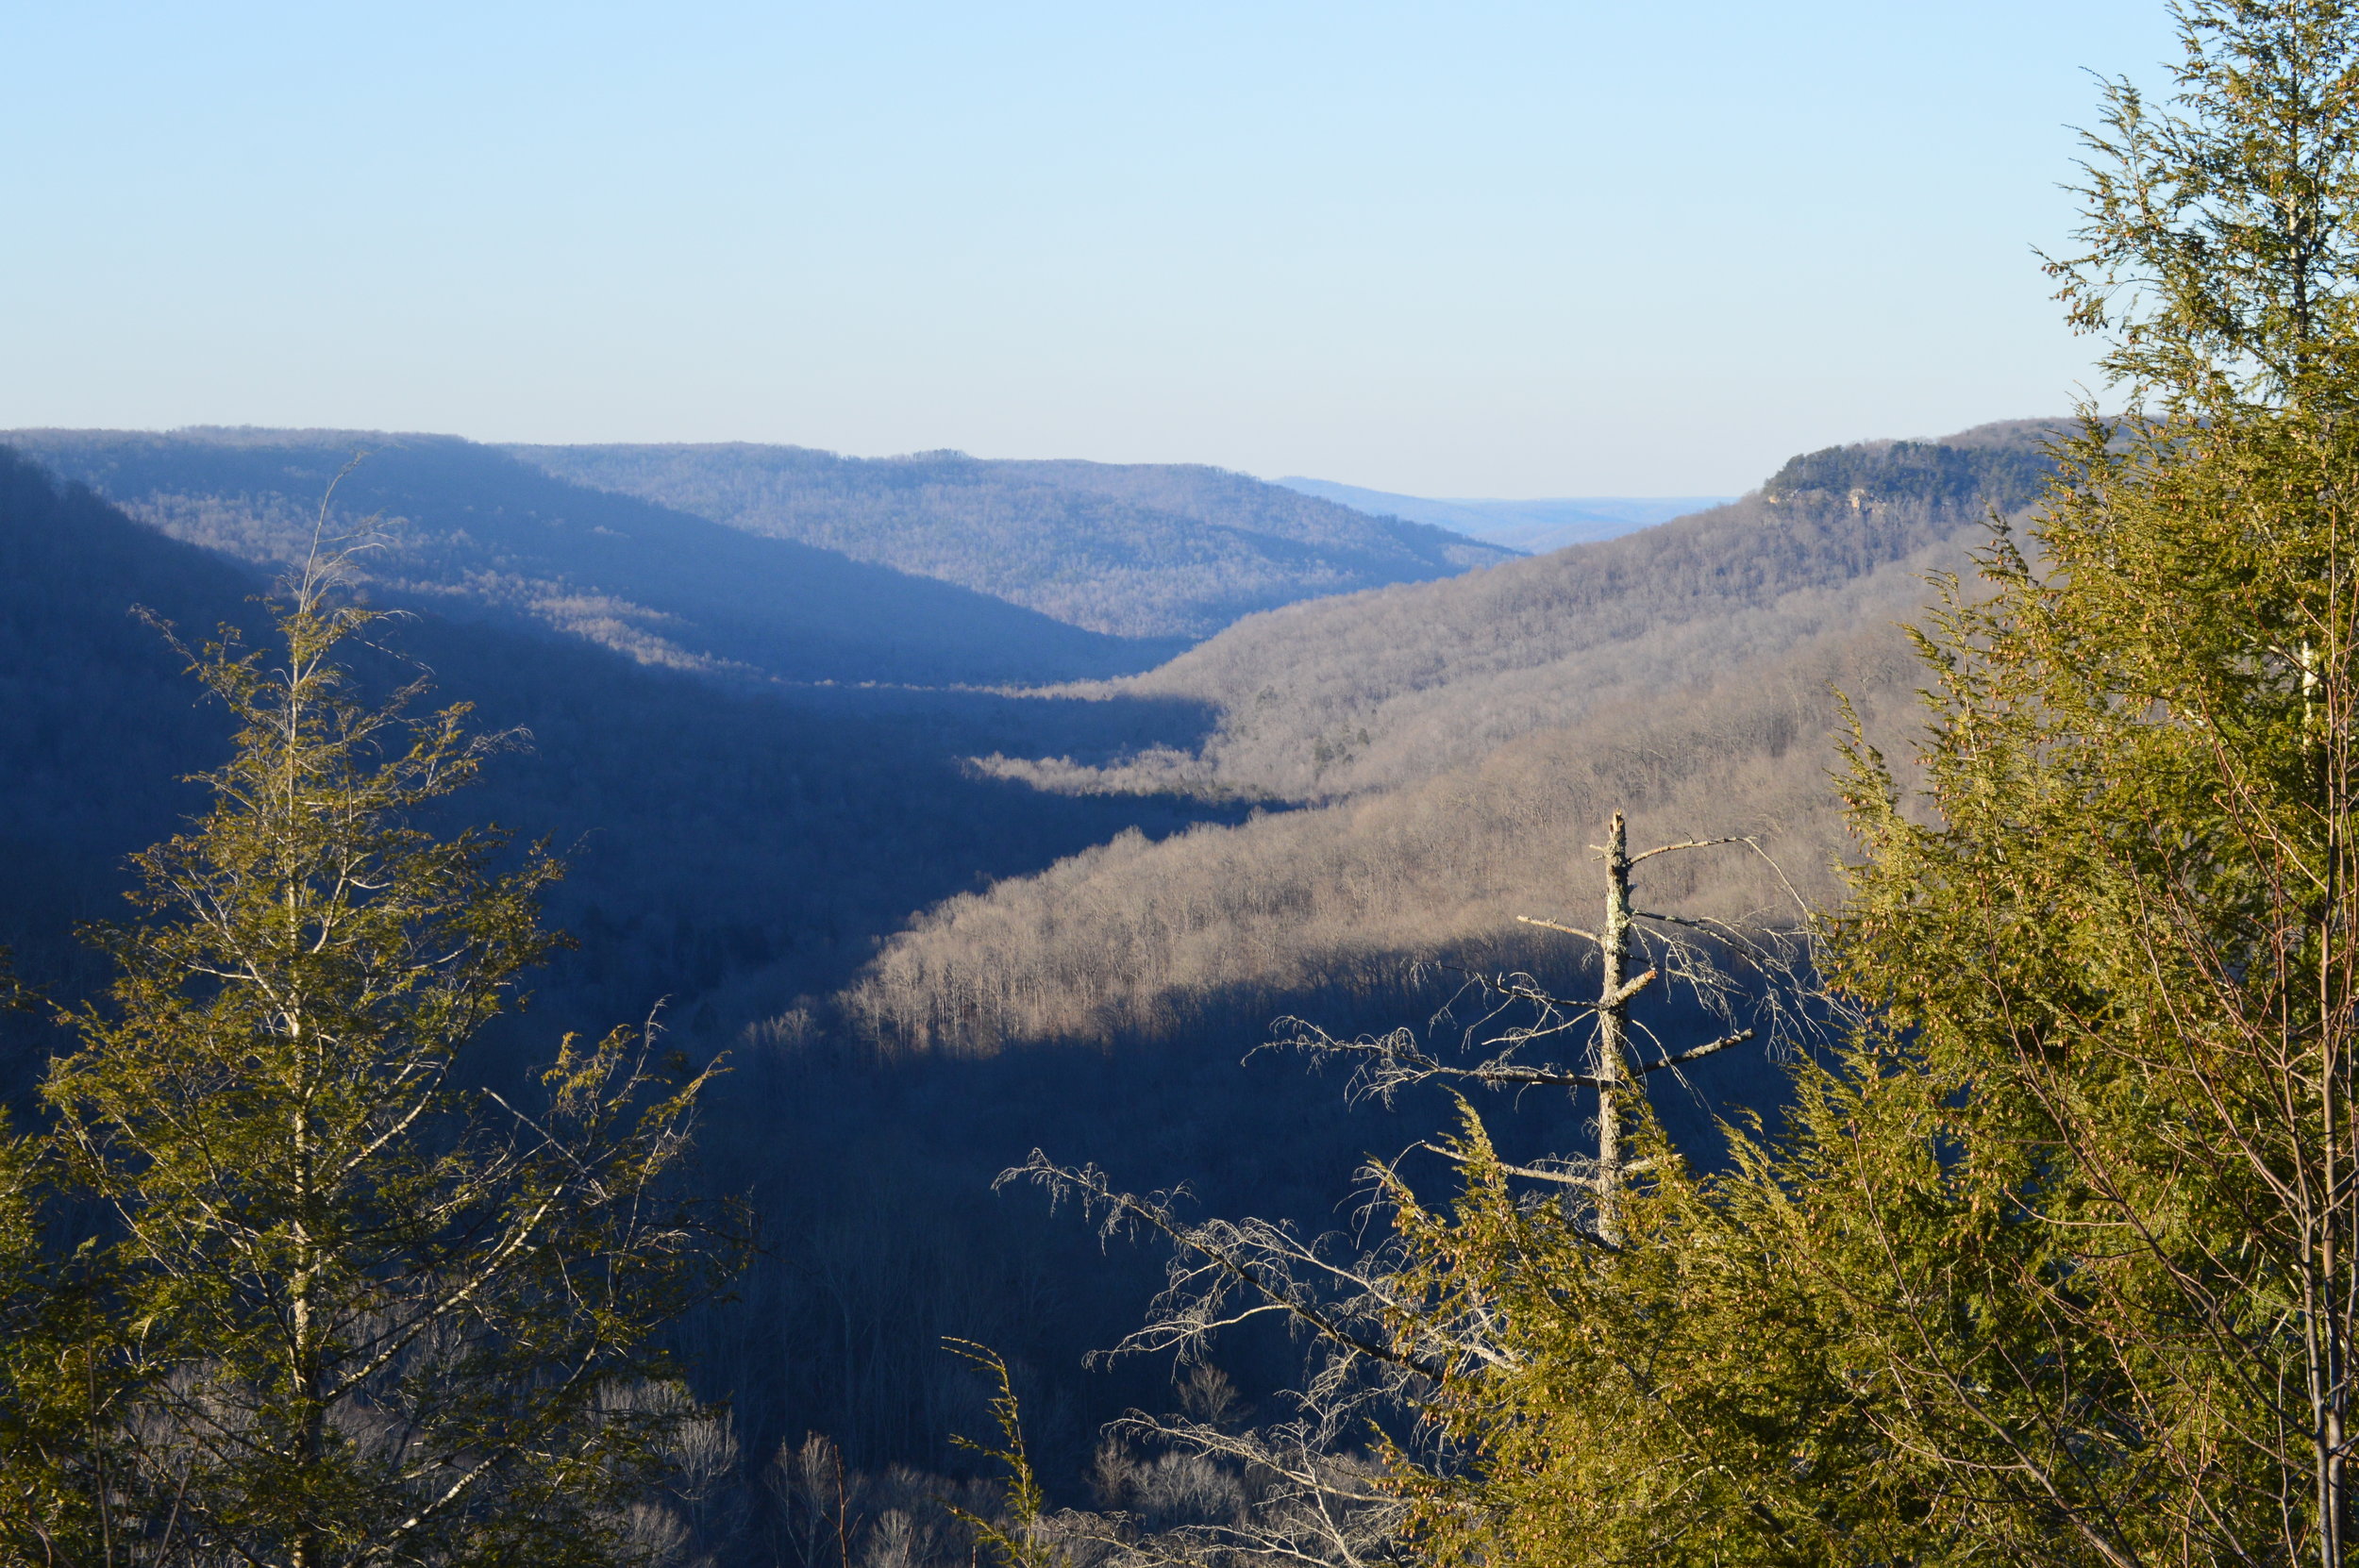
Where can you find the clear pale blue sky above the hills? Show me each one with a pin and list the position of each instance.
(1452, 249)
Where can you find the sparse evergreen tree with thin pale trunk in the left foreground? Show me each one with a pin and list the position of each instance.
(369, 1312)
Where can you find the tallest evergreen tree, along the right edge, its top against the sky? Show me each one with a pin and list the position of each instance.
(2079, 1211)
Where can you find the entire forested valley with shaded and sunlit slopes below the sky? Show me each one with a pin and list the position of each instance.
(952, 857)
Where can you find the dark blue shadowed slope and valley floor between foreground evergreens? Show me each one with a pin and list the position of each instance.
(730, 850)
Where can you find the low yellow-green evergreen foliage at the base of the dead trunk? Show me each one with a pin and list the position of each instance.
(1676, 1399)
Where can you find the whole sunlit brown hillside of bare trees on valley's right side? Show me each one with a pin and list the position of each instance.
(1471, 739)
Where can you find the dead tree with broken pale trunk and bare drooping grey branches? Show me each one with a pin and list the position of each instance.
(1369, 1350)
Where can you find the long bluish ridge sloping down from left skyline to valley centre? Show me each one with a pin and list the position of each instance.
(480, 532)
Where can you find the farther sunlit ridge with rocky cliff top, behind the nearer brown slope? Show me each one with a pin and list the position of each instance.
(1388, 687)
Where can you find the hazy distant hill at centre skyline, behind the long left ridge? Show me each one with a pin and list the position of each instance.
(1136, 551)
